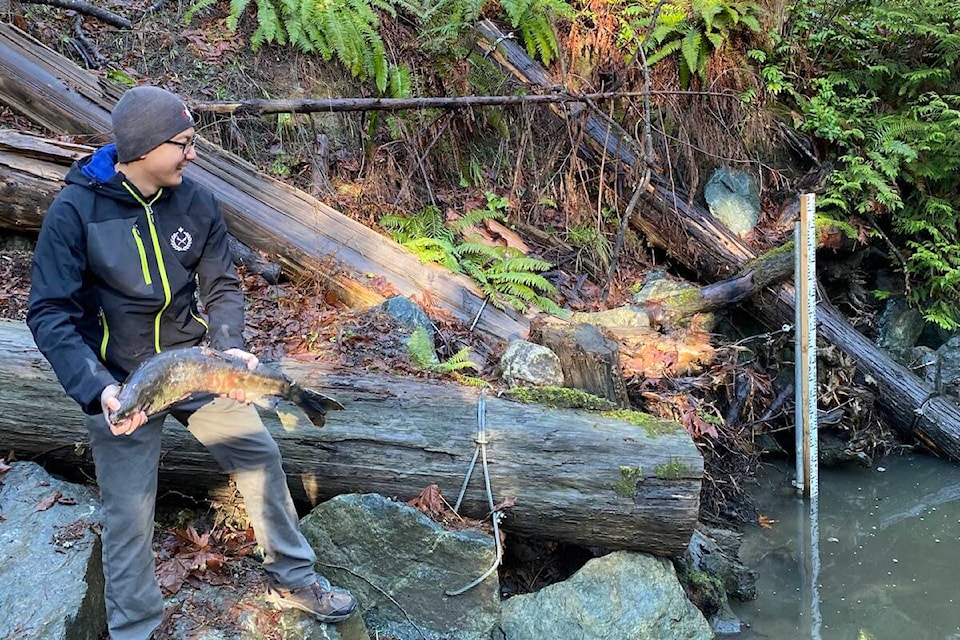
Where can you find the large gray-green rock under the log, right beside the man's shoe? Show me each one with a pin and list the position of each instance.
(399, 563)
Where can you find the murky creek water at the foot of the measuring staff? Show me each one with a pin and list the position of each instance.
(880, 560)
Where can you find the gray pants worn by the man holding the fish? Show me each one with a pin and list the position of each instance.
(127, 476)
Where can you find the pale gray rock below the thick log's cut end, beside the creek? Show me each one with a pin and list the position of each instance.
(618, 596)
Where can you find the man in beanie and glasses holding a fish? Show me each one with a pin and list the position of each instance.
(125, 250)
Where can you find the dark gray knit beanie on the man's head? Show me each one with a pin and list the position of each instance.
(145, 118)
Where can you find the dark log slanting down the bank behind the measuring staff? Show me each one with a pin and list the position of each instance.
(694, 238)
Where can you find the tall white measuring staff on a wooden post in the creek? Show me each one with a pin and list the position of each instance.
(805, 288)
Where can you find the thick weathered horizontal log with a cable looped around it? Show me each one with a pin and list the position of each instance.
(576, 476)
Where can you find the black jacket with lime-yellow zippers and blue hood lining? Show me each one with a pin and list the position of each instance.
(116, 275)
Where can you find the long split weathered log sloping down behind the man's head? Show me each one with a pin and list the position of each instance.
(301, 233)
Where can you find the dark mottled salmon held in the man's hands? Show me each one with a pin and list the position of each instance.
(173, 376)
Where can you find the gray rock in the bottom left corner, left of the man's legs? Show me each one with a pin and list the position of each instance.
(51, 576)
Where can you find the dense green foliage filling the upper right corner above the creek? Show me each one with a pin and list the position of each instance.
(879, 83)
